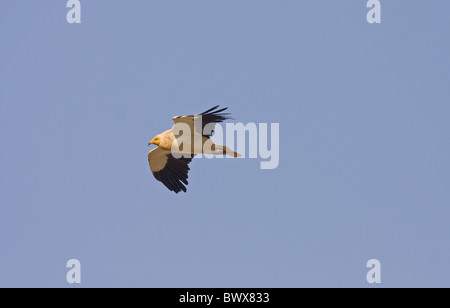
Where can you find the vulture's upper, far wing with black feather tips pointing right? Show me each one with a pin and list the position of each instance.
(213, 115)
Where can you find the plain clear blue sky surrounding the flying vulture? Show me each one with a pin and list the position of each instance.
(364, 113)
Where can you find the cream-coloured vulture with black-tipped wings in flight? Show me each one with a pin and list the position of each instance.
(170, 159)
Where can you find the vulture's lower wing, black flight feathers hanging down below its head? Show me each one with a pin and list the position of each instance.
(171, 171)
